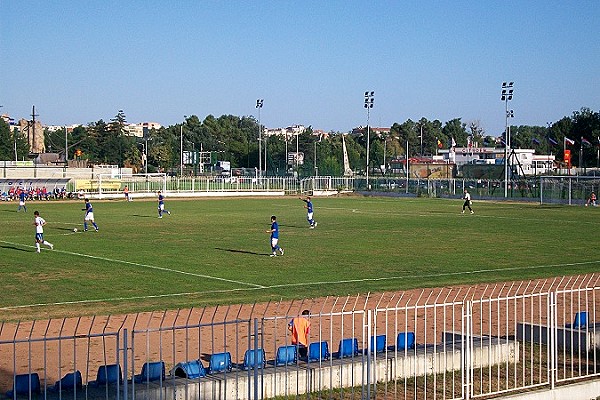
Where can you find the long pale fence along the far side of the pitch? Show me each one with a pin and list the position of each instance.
(571, 190)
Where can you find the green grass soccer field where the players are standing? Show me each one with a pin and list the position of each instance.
(216, 251)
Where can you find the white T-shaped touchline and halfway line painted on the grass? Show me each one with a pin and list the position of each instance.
(297, 284)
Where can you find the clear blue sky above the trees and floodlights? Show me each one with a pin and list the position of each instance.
(81, 61)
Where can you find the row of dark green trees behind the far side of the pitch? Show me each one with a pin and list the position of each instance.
(235, 139)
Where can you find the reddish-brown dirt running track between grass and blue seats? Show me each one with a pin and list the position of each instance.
(88, 342)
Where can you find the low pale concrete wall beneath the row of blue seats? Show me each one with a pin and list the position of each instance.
(331, 374)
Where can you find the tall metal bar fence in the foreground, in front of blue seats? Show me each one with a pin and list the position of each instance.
(450, 343)
